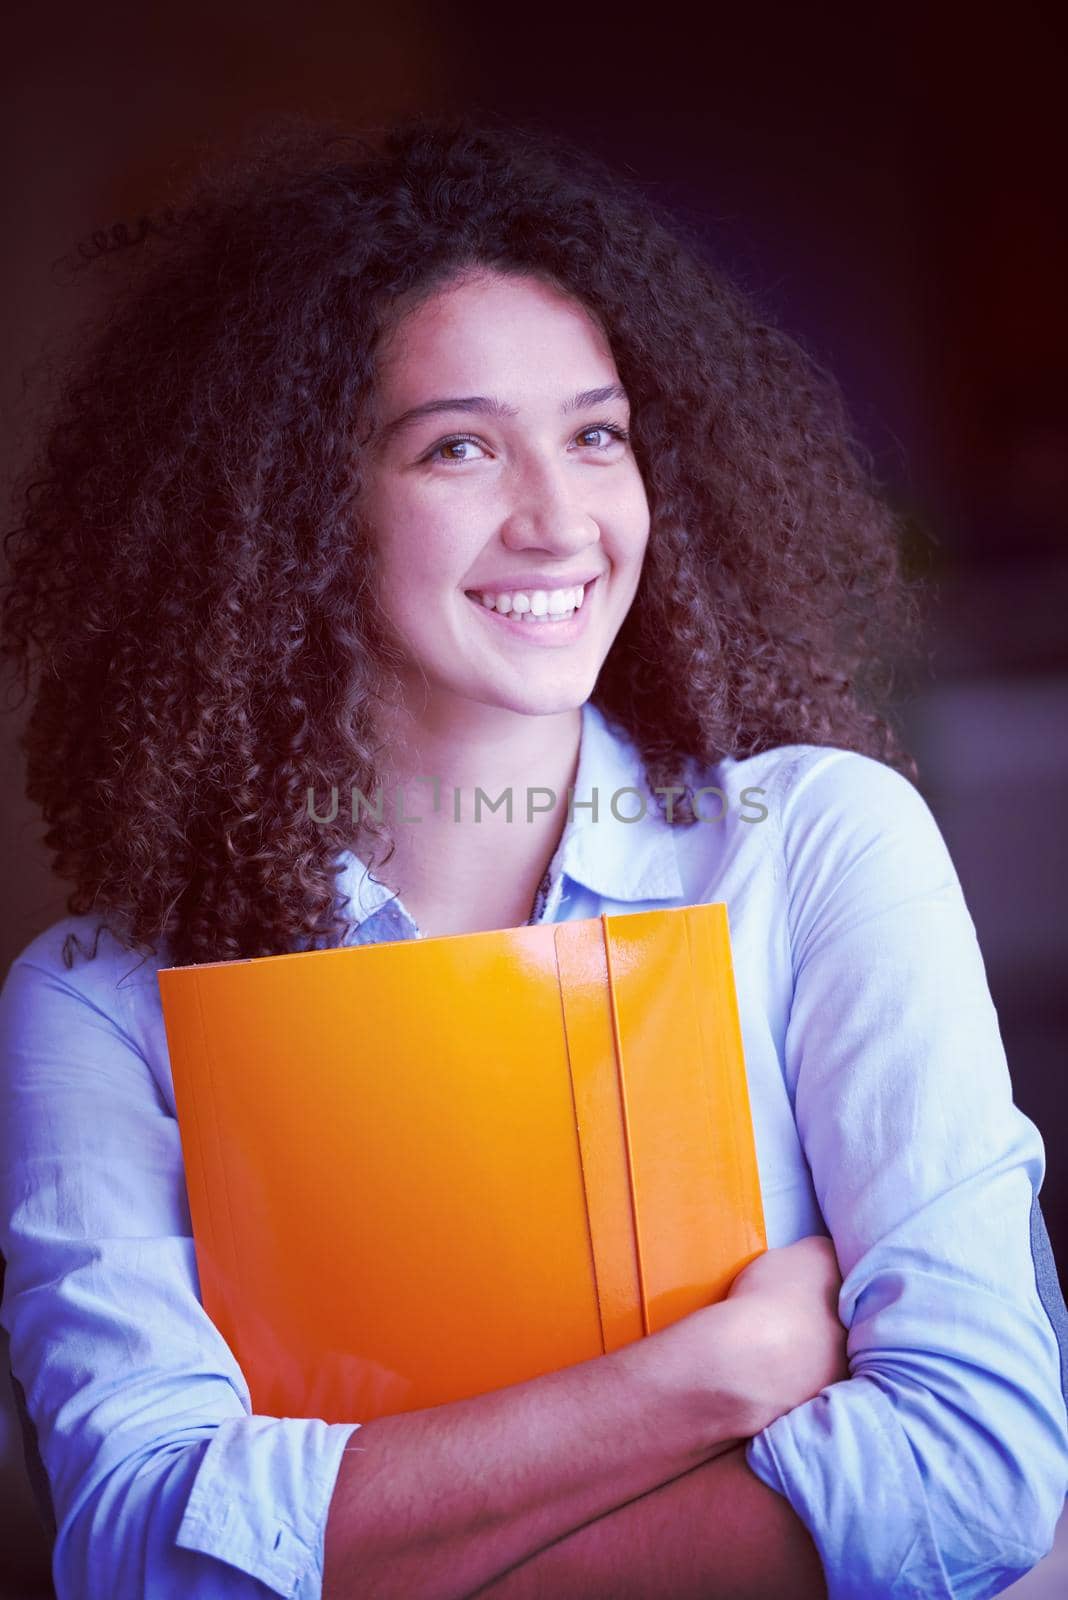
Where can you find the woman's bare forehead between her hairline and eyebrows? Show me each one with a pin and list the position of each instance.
(495, 334)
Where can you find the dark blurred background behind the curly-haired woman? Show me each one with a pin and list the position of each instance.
(890, 186)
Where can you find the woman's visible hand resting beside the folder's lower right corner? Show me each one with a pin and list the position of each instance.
(791, 1303)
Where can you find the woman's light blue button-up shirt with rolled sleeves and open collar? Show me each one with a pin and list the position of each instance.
(883, 1114)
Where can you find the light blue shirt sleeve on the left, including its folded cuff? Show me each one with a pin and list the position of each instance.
(162, 1481)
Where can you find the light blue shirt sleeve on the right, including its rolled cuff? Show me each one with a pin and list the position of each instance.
(941, 1466)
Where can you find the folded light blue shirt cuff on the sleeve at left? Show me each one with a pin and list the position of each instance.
(261, 1498)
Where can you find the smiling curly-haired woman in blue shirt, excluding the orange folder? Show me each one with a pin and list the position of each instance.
(364, 415)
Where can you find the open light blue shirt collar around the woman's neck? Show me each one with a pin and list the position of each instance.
(618, 862)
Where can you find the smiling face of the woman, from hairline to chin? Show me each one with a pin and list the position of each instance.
(501, 471)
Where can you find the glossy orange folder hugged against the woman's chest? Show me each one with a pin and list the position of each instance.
(429, 1169)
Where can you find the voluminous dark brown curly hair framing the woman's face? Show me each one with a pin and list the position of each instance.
(188, 570)
